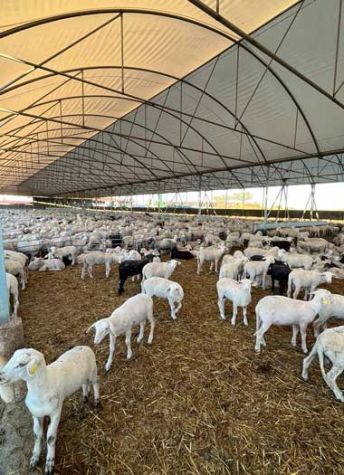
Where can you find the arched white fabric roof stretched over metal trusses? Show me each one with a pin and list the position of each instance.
(131, 97)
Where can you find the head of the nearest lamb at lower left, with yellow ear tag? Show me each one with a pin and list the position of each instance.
(23, 365)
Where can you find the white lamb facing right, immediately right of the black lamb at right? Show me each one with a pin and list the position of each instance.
(308, 280)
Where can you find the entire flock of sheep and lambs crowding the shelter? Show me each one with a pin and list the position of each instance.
(294, 259)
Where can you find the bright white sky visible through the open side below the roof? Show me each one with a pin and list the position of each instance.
(327, 196)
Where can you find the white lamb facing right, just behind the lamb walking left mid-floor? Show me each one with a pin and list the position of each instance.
(165, 289)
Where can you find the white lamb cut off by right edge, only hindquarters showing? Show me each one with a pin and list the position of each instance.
(329, 344)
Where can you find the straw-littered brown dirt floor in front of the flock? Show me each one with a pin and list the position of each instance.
(198, 401)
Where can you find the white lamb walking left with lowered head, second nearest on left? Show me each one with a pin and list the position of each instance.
(135, 310)
